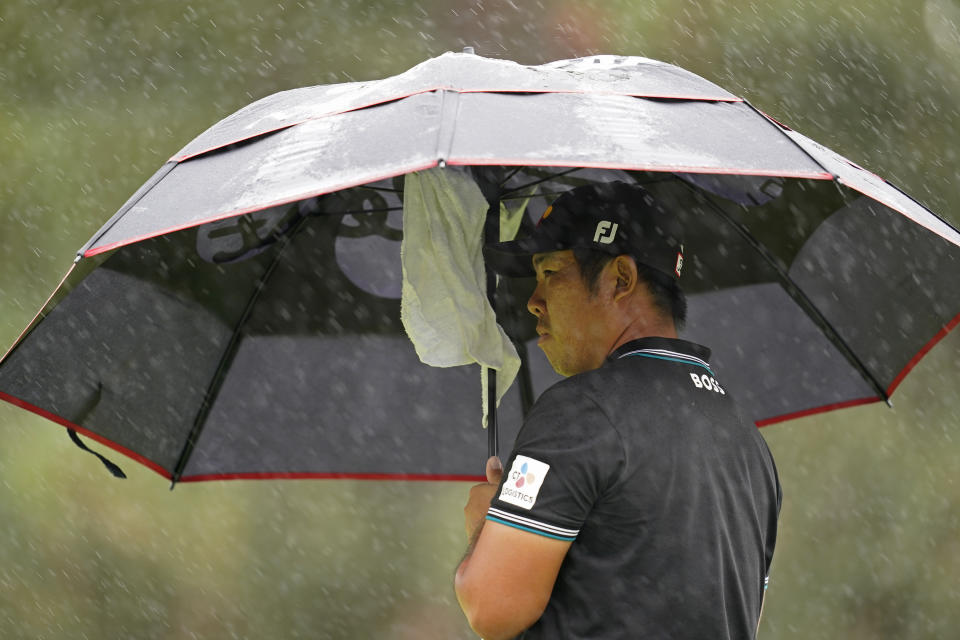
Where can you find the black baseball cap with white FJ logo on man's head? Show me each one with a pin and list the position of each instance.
(615, 217)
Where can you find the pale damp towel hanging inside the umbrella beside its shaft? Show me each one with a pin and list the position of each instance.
(443, 304)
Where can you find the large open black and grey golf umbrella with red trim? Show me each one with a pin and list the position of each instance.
(239, 317)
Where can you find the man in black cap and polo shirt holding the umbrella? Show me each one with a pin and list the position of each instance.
(637, 503)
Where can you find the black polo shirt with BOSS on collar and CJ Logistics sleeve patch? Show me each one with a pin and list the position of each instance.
(670, 498)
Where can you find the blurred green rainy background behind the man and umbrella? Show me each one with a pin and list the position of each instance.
(96, 95)
